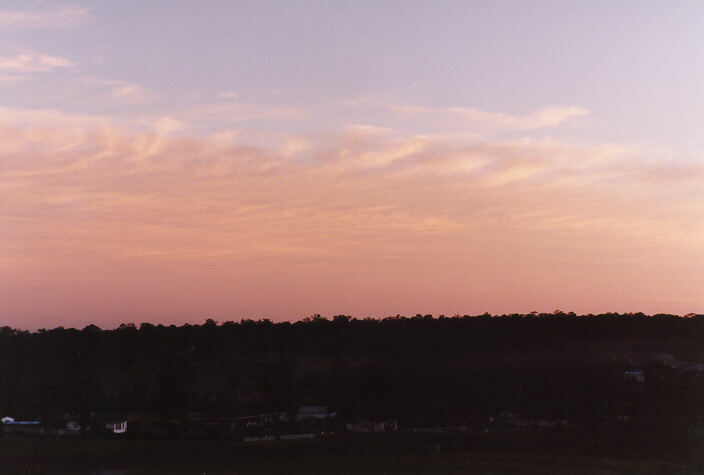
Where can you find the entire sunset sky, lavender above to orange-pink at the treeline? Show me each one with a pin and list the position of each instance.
(172, 161)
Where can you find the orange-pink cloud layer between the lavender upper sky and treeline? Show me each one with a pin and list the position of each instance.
(107, 225)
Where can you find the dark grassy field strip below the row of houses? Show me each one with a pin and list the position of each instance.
(392, 453)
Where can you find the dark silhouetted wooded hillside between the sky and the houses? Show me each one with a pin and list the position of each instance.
(419, 370)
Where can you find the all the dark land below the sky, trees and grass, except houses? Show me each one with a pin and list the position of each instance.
(622, 393)
